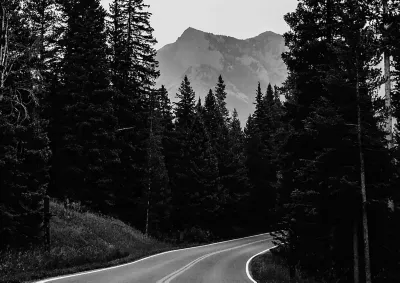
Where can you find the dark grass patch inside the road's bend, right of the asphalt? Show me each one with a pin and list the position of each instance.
(270, 268)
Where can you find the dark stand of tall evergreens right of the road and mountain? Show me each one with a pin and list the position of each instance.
(338, 172)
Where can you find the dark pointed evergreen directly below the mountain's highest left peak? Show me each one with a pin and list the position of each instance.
(196, 189)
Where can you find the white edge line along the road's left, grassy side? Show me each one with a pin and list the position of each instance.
(125, 264)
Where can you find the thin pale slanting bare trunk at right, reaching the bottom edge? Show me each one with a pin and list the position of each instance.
(363, 186)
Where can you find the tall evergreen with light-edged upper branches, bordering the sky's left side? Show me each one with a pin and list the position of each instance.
(133, 72)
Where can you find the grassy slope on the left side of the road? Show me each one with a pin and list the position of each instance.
(79, 241)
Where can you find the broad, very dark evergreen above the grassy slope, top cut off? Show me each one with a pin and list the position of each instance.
(86, 154)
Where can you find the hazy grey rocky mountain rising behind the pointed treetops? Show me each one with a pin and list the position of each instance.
(242, 63)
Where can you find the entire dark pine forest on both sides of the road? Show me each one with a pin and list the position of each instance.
(82, 122)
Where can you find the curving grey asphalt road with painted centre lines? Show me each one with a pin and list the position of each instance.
(223, 262)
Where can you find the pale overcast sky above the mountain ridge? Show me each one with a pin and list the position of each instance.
(237, 18)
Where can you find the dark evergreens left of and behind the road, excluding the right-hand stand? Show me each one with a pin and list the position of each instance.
(81, 121)
